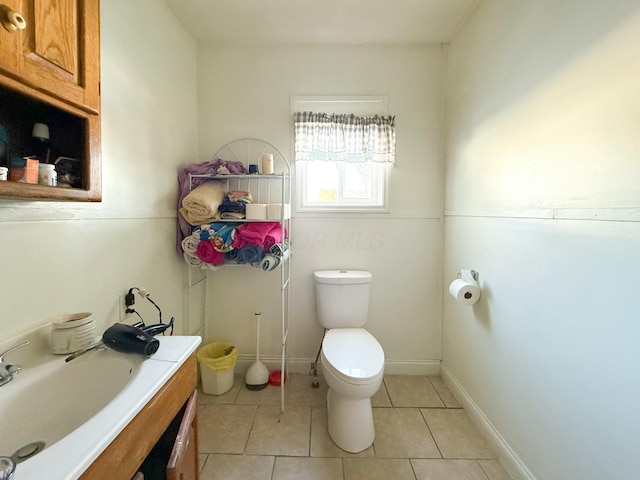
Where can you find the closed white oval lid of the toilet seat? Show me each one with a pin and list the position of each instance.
(353, 352)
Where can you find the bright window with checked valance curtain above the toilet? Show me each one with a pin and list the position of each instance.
(343, 159)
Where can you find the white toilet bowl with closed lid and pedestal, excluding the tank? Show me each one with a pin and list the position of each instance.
(353, 366)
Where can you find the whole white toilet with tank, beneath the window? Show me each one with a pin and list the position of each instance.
(352, 359)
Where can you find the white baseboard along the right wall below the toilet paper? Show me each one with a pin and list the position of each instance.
(507, 456)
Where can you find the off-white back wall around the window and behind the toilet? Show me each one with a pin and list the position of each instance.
(244, 91)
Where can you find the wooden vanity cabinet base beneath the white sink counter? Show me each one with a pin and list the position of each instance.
(174, 404)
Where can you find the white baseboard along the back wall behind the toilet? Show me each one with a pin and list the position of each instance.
(303, 365)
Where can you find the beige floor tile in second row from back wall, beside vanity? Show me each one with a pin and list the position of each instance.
(225, 428)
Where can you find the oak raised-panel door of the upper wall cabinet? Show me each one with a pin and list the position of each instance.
(61, 49)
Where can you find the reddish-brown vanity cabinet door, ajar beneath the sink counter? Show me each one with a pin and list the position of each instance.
(183, 463)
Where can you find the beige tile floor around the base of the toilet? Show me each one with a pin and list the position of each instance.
(422, 433)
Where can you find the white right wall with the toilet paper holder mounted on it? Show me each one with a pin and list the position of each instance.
(542, 199)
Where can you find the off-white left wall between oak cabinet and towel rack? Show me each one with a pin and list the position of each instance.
(68, 257)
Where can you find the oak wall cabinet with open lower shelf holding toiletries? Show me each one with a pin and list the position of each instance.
(50, 73)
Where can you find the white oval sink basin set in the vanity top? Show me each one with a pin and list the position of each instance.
(44, 404)
